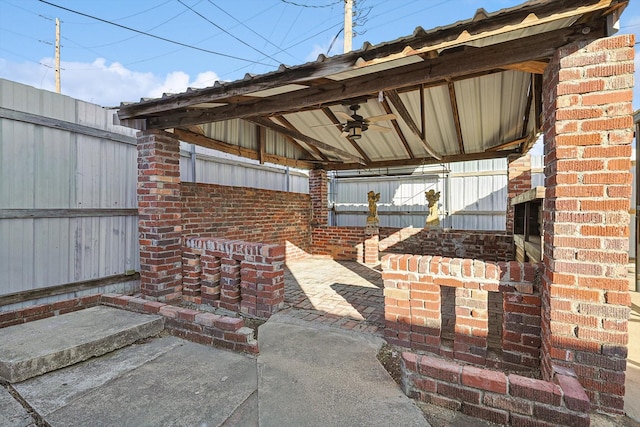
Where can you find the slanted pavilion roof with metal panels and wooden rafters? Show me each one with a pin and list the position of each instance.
(470, 90)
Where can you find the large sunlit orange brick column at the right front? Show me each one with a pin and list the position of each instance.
(588, 128)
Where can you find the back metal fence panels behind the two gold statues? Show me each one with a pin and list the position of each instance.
(473, 195)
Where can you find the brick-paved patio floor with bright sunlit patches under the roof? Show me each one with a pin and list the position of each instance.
(340, 293)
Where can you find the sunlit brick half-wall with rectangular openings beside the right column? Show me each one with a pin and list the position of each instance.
(416, 312)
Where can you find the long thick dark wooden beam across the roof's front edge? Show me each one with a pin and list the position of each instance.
(448, 66)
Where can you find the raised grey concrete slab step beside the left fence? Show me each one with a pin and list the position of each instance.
(34, 348)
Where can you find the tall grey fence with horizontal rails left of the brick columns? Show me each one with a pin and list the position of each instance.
(68, 210)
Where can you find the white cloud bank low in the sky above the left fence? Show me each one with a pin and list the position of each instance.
(101, 83)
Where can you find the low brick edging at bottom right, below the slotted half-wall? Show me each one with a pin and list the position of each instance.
(495, 396)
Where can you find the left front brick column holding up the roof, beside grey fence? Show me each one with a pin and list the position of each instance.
(159, 207)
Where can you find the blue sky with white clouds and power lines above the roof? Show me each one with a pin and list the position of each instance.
(105, 63)
